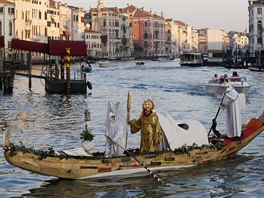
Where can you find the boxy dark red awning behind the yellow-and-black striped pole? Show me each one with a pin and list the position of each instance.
(58, 48)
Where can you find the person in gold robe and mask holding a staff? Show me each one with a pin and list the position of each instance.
(151, 131)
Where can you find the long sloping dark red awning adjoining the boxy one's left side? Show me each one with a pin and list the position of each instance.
(29, 46)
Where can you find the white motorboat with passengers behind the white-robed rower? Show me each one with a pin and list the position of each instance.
(216, 86)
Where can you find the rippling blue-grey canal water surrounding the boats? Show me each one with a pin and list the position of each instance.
(44, 120)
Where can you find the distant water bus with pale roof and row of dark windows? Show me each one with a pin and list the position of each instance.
(191, 59)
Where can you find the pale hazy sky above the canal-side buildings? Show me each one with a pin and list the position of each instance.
(228, 15)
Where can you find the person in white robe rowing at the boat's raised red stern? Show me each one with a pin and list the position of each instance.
(233, 103)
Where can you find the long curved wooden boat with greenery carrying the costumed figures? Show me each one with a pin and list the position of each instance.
(96, 165)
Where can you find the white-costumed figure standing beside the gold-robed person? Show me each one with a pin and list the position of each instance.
(116, 129)
